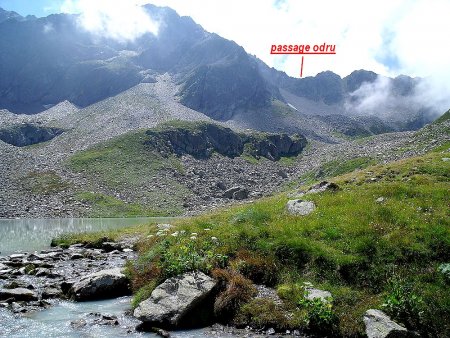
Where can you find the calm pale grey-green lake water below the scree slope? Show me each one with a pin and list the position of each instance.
(36, 234)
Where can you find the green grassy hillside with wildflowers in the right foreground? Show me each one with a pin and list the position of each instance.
(391, 253)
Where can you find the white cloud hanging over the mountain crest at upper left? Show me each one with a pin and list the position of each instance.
(119, 19)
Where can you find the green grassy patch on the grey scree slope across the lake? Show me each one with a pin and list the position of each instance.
(128, 167)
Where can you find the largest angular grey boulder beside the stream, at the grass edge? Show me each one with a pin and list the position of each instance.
(182, 301)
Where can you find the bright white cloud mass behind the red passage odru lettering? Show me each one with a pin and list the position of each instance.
(389, 37)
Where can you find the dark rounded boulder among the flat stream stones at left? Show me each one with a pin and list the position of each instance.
(101, 285)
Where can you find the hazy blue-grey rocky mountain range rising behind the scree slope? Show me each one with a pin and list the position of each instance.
(44, 61)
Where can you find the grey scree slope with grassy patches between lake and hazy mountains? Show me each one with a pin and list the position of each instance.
(42, 180)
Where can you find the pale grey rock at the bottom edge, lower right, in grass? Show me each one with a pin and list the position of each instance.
(379, 325)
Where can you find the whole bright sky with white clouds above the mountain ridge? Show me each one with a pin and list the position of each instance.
(389, 37)
